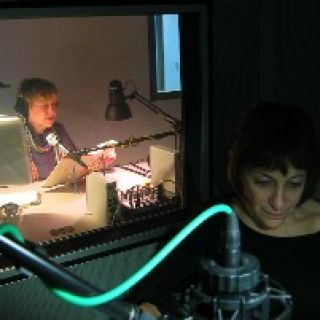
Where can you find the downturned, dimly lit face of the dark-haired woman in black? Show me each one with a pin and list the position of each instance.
(273, 196)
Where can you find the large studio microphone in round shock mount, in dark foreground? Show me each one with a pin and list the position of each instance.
(236, 289)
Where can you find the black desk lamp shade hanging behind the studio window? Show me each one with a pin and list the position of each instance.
(117, 109)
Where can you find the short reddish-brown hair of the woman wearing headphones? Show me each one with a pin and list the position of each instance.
(31, 88)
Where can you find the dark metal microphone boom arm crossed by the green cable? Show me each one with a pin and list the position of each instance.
(33, 260)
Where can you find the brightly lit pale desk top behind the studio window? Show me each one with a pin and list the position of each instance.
(63, 212)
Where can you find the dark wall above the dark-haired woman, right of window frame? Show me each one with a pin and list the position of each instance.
(262, 50)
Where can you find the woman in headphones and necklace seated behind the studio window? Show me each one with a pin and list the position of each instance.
(38, 102)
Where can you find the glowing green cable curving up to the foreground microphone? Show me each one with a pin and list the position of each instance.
(135, 278)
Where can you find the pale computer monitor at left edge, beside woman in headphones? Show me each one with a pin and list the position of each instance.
(14, 155)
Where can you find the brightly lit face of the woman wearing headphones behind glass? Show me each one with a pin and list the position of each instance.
(42, 112)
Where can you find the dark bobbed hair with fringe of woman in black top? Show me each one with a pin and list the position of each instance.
(274, 136)
